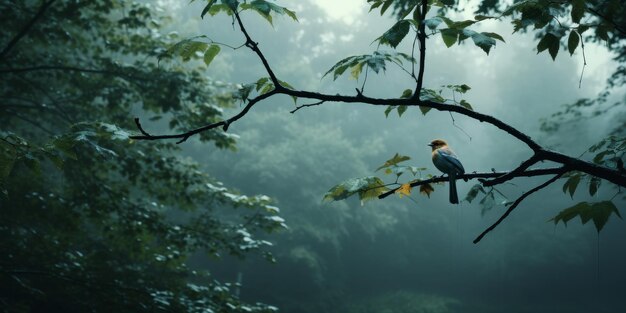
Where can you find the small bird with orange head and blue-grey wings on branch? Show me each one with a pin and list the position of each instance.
(446, 161)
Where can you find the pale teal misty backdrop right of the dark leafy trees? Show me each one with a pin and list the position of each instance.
(418, 250)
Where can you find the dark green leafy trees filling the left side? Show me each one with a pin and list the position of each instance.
(94, 221)
